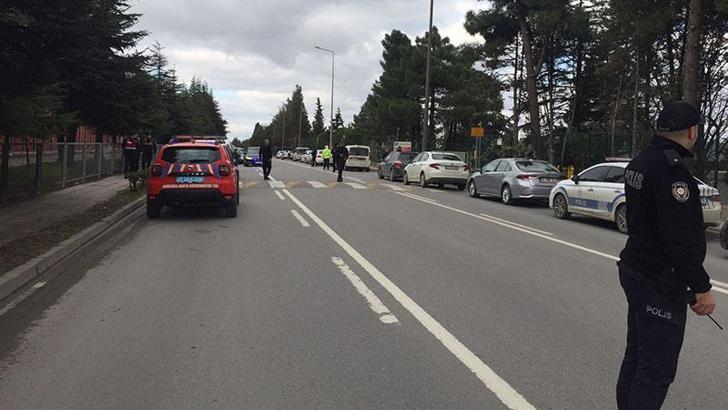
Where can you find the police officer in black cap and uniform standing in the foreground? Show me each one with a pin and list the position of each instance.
(661, 267)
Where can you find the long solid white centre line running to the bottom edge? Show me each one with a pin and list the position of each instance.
(507, 394)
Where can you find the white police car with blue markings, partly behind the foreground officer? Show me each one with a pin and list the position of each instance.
(599, 192)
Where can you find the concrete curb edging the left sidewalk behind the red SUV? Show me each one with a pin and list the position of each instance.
(19, 276)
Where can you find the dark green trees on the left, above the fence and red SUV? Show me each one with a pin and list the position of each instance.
(76, 62)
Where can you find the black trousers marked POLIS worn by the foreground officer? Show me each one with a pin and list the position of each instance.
(655, 331)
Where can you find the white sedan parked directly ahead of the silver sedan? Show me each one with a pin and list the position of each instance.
(437, 168)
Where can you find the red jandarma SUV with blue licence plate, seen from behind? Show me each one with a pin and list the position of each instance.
(194, 173)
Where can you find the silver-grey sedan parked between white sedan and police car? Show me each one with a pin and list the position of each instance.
(514, 178)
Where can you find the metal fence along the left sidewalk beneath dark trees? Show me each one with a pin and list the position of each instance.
(31, 168)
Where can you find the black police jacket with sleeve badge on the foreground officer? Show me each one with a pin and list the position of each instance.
(665, 219)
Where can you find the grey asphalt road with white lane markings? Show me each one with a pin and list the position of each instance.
(364, 294)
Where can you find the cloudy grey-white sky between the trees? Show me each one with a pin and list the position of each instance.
(253, 52)
